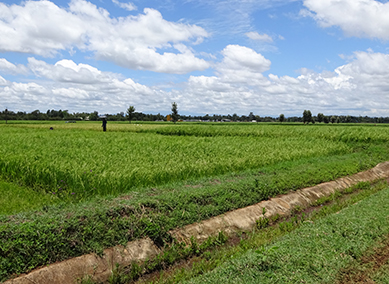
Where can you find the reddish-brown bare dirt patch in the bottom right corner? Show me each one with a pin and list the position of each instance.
(366, 266)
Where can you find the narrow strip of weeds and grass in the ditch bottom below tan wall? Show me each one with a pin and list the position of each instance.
(219, 250)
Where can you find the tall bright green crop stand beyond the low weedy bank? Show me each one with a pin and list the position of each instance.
(86, 162)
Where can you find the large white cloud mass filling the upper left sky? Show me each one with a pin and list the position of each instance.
(145, 41)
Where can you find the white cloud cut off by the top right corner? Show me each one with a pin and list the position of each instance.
(360, 18)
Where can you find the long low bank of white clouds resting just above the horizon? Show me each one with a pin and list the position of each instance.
(359, 87)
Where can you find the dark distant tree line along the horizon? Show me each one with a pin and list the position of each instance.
(131, 115)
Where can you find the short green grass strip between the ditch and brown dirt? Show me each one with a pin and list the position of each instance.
(315, 252)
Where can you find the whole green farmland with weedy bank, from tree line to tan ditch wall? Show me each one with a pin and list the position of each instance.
(75, 190)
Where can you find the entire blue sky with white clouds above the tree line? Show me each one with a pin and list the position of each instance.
(210, 57)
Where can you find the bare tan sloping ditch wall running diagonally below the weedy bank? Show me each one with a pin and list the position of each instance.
(240, 220)
